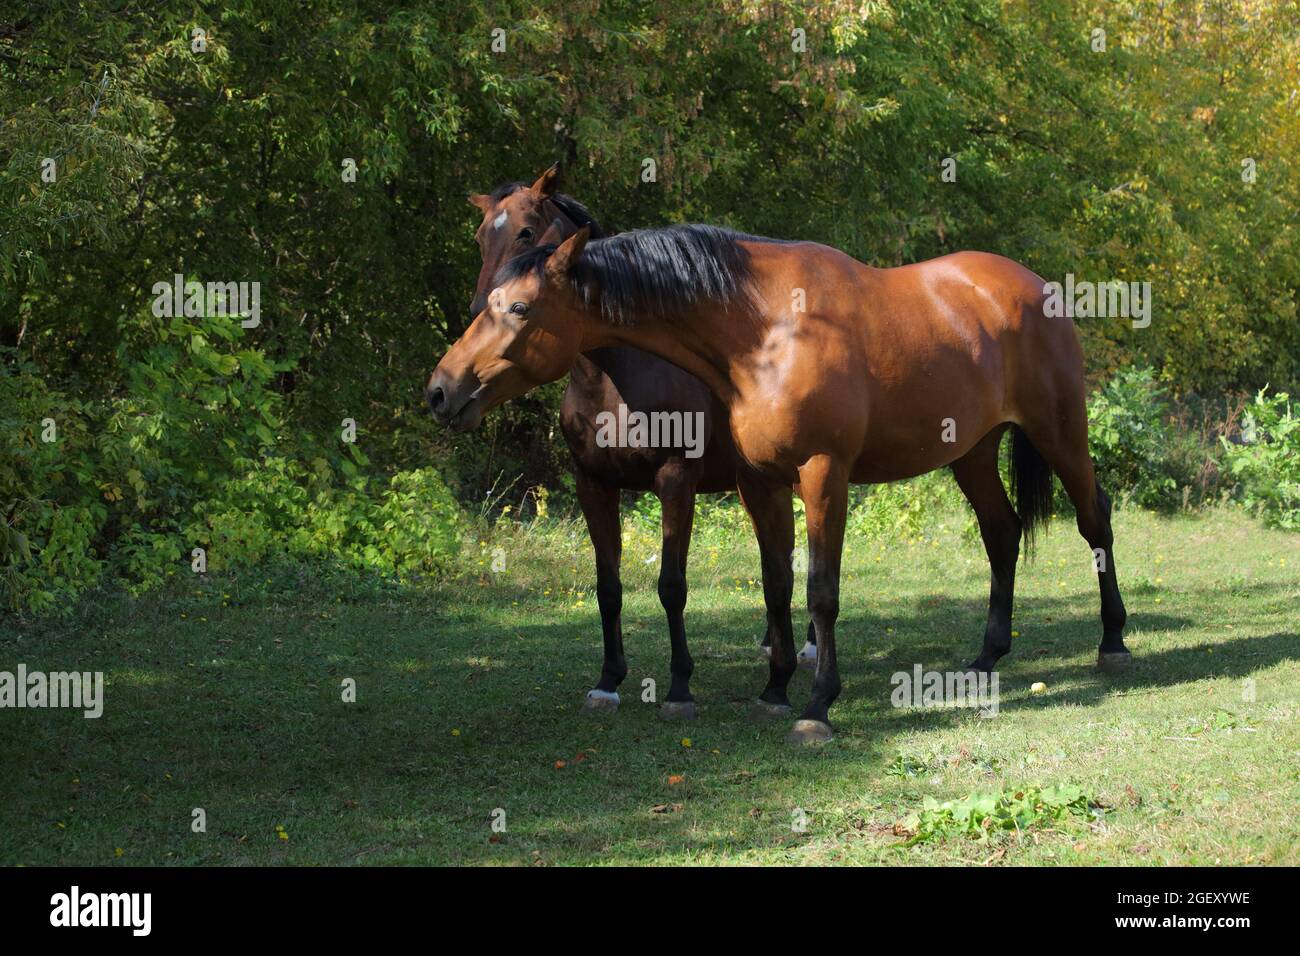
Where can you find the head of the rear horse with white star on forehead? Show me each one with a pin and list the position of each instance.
(515, 218)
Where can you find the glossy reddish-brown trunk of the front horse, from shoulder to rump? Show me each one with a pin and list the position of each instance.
(902, 370)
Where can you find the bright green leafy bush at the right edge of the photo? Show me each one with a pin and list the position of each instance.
(1267, 462)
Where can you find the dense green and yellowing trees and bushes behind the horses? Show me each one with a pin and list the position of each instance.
(227, 163)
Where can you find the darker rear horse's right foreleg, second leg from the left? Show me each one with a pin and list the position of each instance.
(675, 487)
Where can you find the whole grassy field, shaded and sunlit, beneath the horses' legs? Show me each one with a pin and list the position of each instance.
(226, 695)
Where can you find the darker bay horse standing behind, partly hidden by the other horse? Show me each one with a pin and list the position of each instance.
(517, 218)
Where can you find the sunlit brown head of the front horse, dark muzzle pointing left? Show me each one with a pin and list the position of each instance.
(528, 334)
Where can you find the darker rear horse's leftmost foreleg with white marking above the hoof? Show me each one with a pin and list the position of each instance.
(600, 505)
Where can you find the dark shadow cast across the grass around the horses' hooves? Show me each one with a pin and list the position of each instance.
(462, 715)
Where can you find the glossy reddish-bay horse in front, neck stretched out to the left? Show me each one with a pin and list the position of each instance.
(833, 373)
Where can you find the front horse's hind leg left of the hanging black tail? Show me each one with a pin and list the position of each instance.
(1000, 527)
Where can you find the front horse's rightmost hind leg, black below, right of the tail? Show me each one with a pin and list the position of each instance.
(1067, 449)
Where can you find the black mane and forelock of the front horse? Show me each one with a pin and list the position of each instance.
(657, 271)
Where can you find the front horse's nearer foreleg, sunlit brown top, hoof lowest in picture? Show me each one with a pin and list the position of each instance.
(825, 485)
